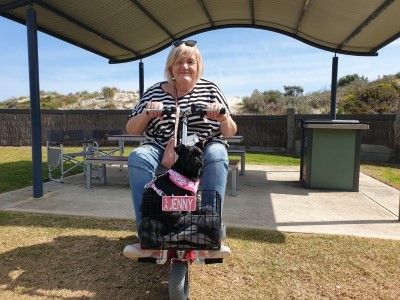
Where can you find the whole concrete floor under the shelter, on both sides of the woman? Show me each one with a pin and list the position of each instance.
(268, 198)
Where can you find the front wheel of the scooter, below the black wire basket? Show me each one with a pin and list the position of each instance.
(178, 286)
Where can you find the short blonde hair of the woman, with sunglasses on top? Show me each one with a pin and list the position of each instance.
(180, 53)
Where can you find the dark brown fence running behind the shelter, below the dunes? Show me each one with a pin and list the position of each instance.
(263, 133)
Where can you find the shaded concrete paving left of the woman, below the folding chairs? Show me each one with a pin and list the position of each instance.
(111, 200)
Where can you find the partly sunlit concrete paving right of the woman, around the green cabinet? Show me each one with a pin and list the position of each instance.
(273, 198)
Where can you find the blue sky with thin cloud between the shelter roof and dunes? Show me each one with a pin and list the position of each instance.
(238, 60)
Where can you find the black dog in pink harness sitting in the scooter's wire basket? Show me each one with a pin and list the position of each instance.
(181, 180)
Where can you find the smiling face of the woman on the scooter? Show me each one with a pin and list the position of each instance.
(185, 70)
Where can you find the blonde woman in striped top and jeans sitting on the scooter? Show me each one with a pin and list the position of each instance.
(184, 85)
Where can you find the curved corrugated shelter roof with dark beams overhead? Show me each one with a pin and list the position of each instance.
(127, 30)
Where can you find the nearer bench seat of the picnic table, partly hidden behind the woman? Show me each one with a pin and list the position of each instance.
(123, 160)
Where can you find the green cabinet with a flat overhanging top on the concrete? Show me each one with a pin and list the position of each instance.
(330, 154)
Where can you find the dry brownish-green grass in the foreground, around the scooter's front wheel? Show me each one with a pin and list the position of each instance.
(66, 257)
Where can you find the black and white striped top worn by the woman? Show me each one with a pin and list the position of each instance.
(159, 131)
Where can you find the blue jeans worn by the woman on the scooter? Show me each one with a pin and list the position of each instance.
(145, 160)
